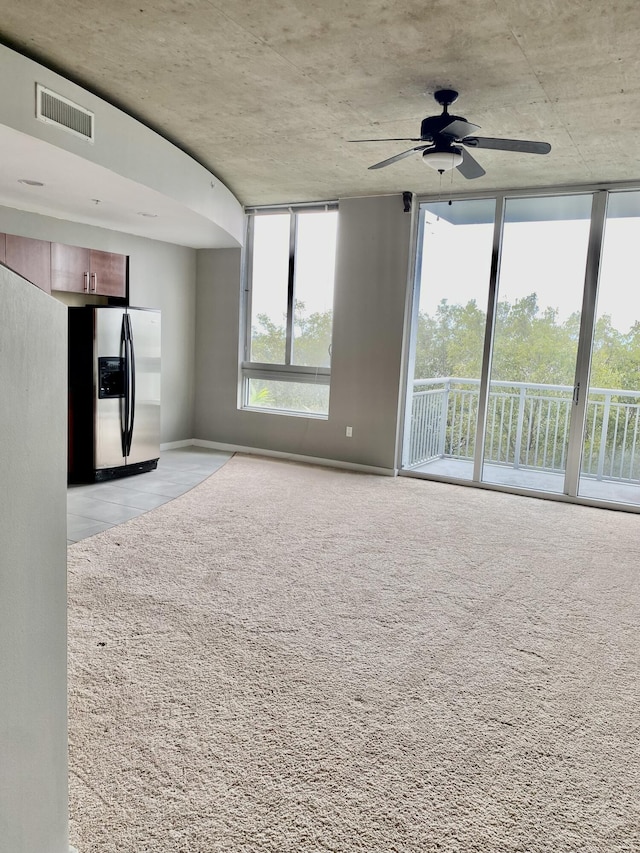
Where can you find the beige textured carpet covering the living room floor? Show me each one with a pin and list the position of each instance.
(291, 658)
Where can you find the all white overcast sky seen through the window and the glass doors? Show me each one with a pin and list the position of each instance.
(546, 257)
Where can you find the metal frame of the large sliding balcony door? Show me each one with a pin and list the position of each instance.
(600, 195)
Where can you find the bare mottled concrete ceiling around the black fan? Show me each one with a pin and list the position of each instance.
(267, 94)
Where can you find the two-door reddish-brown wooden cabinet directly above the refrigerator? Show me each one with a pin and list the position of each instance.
(88, 271)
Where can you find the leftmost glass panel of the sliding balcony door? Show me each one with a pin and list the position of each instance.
(454, 260)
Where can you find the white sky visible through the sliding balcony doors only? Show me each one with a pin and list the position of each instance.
(546, 258)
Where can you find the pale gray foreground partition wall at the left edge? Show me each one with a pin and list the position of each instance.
(33, 426)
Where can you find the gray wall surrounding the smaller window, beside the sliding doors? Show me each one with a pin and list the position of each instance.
(371, 279)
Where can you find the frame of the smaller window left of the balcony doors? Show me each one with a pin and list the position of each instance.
(286, 372)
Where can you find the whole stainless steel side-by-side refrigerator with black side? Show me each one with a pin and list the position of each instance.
(114, 392)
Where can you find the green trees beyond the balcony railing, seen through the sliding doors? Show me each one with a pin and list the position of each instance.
(531, 345)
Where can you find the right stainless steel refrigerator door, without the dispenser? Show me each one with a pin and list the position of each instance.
(145, 441)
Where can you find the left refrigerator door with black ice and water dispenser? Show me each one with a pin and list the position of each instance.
(108, 396)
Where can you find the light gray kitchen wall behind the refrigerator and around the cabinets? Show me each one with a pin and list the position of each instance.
(162, 276)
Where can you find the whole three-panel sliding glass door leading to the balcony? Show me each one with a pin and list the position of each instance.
(525, 352)
